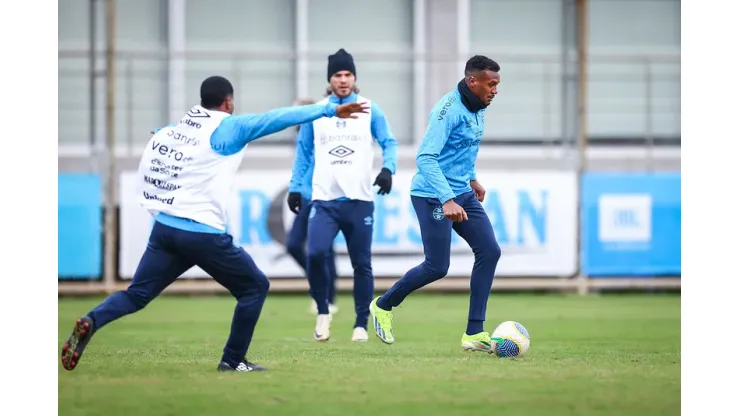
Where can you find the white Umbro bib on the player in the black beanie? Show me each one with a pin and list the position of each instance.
(343, 155)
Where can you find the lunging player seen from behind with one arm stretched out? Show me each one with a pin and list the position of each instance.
(185, 178)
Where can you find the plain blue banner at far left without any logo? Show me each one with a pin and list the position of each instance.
(80, 238)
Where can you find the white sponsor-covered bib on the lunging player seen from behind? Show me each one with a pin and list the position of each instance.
(181, 175)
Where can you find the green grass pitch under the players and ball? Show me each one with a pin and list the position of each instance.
(592, 355)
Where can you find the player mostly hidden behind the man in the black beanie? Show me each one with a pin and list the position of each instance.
(299, 203)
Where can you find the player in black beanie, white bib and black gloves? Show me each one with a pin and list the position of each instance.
(341, 154)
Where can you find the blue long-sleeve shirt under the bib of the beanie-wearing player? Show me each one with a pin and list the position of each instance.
(302, 179)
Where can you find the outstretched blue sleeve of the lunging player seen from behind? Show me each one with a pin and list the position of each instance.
(236, 131)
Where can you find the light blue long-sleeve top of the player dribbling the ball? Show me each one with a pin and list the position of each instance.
(446, 157)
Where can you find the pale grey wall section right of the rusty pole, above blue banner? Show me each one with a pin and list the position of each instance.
(621, 100)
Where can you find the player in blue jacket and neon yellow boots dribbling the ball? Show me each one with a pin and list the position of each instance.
(447, 196)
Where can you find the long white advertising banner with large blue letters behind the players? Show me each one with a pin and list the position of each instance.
(534, 217)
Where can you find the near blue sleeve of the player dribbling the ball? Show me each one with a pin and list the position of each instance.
(438, 131)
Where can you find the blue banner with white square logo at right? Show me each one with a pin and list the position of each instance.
(631, 224)
